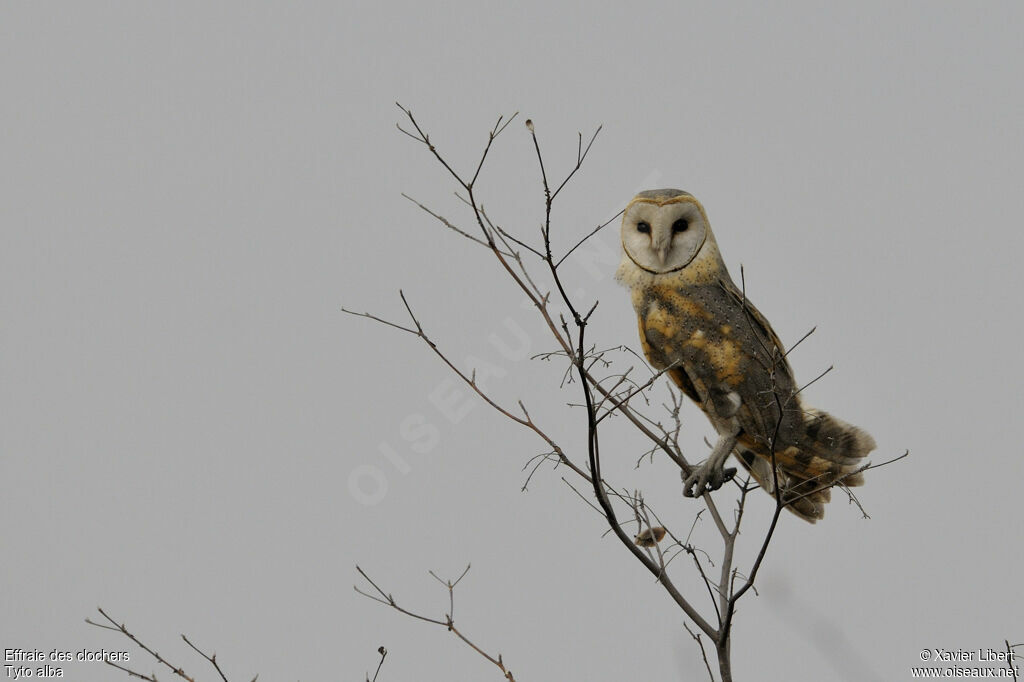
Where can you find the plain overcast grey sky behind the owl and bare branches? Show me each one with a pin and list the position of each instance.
(192, 191)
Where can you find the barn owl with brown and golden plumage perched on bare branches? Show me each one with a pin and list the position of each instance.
(699, 327)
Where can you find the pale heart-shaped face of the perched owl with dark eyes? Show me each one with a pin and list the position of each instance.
(664, 239)
